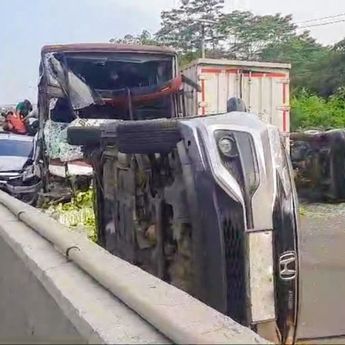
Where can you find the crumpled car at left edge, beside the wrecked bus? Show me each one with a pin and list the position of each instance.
(19, 175)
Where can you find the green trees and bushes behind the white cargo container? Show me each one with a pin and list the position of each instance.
(318, 72)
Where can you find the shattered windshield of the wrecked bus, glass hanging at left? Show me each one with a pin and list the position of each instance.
(99, 85)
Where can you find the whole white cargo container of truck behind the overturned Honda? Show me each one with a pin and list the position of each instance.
(263, 86)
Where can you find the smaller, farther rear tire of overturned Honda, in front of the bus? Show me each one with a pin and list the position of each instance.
(84, 136)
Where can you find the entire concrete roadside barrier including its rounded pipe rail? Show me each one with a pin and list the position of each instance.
(46, 298)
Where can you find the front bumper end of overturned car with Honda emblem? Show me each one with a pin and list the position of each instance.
(248, 220)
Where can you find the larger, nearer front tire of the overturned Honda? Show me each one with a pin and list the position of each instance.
(148, 137)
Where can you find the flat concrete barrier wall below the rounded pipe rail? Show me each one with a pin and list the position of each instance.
(46, 299)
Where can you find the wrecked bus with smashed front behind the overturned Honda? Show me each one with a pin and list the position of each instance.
(87, 84)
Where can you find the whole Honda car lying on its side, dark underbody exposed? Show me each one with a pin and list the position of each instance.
(205, 203)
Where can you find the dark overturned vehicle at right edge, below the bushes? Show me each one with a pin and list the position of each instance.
(318, 158)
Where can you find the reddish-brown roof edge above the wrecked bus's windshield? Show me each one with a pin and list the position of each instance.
(107, 47)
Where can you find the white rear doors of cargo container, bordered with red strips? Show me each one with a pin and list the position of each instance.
(265, 93)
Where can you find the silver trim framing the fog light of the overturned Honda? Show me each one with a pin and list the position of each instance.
(266, 191)
